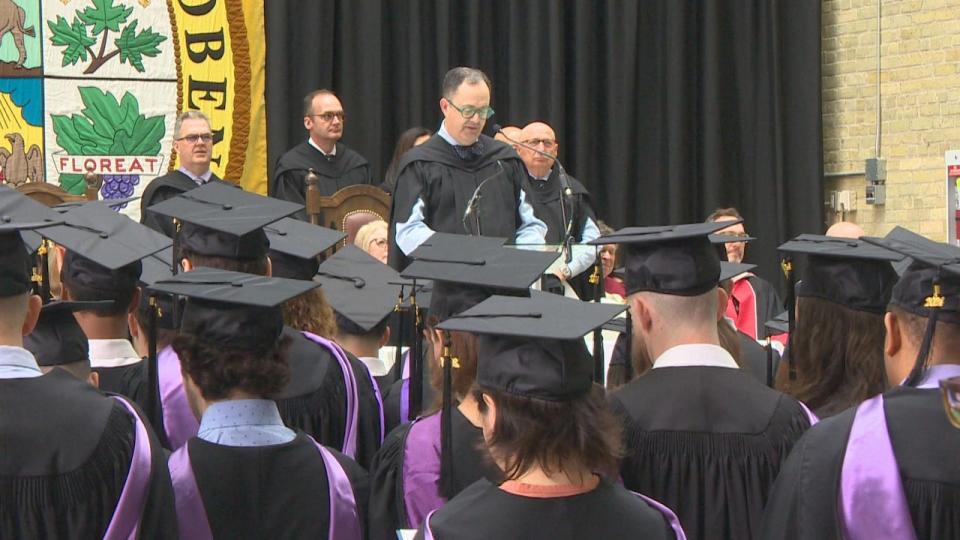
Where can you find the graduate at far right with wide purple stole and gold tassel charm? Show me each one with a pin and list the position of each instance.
(890, 467)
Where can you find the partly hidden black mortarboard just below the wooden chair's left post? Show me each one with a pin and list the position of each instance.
(295, 245)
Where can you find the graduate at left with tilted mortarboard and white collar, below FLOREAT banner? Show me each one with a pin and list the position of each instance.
(115, 244)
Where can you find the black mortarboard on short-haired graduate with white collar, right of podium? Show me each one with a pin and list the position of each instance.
(672, 259)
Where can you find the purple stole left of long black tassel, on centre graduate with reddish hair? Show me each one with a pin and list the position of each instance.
(420, 477)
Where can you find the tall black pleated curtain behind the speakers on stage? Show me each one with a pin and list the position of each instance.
(665, 109)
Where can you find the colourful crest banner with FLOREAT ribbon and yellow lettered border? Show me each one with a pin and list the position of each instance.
(97, 84)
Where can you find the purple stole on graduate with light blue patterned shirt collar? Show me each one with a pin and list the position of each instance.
(192, 517)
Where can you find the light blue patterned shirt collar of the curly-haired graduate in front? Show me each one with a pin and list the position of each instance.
(244, 422)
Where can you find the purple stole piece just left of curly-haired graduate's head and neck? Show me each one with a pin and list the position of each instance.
(178, 420)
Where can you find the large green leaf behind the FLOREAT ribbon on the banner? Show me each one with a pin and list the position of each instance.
(107, 127)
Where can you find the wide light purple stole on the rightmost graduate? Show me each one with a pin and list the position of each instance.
(872, 502)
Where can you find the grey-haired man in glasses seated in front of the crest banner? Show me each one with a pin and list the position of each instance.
(193, 146)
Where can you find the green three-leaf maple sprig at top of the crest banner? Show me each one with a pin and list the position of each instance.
(79, 37)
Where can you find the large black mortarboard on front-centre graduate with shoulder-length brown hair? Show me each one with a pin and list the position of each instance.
(533, 346)
